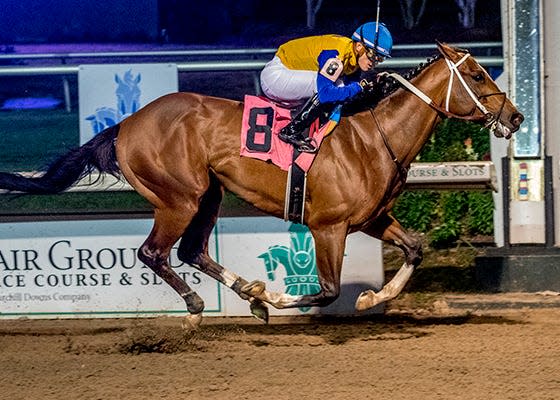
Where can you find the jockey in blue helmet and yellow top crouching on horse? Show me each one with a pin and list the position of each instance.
(313, 68)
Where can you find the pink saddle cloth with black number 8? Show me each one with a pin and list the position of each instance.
(262, 120)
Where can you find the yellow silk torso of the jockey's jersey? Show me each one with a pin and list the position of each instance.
(302, 54)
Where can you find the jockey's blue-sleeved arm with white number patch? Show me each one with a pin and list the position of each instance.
(327, 88)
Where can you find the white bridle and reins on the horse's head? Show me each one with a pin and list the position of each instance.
(490, 119)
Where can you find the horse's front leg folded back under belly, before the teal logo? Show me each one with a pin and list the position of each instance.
(329, 252)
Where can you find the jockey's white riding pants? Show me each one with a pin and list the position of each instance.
(287, 85)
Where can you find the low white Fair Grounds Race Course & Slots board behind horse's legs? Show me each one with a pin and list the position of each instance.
(57, 269)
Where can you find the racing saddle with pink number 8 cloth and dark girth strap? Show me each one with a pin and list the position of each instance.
(262, 120)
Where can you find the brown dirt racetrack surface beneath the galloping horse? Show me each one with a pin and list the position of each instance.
(435, 352)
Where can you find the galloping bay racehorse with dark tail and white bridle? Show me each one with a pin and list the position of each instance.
(183, 150)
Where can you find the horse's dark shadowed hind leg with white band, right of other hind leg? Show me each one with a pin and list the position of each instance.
(193, 248)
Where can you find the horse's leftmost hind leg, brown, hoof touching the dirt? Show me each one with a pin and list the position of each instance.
(169, 224)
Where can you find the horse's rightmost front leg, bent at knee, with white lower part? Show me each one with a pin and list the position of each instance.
(388, 229)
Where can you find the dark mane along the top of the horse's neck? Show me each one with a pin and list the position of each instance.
(385, 87)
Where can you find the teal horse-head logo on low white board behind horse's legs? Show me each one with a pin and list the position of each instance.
(298, 261)
